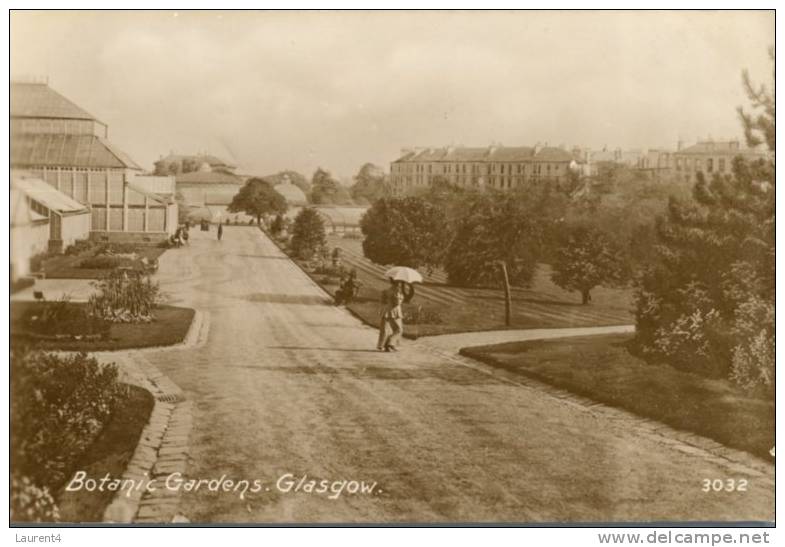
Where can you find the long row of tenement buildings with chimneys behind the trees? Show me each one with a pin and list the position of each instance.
(510, 167)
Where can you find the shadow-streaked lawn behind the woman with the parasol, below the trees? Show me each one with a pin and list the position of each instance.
(452, 309)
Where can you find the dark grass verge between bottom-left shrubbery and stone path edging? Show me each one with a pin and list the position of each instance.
(109, 454)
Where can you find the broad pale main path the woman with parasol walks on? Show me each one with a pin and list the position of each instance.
(288, 384)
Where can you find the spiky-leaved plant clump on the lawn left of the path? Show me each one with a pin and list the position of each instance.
(124, 297)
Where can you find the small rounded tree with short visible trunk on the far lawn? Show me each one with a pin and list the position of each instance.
(587, 258)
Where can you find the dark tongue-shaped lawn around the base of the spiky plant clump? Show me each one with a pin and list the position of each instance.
(170, 327)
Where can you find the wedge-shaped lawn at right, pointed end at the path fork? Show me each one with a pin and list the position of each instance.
(601, 368)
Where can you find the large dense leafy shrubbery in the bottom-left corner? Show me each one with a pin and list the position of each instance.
(59, 404)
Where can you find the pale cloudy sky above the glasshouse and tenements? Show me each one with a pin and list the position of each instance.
(297, 90)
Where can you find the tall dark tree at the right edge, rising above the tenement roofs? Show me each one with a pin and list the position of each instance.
(707, 303)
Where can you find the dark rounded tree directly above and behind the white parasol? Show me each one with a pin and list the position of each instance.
(405, 232)
